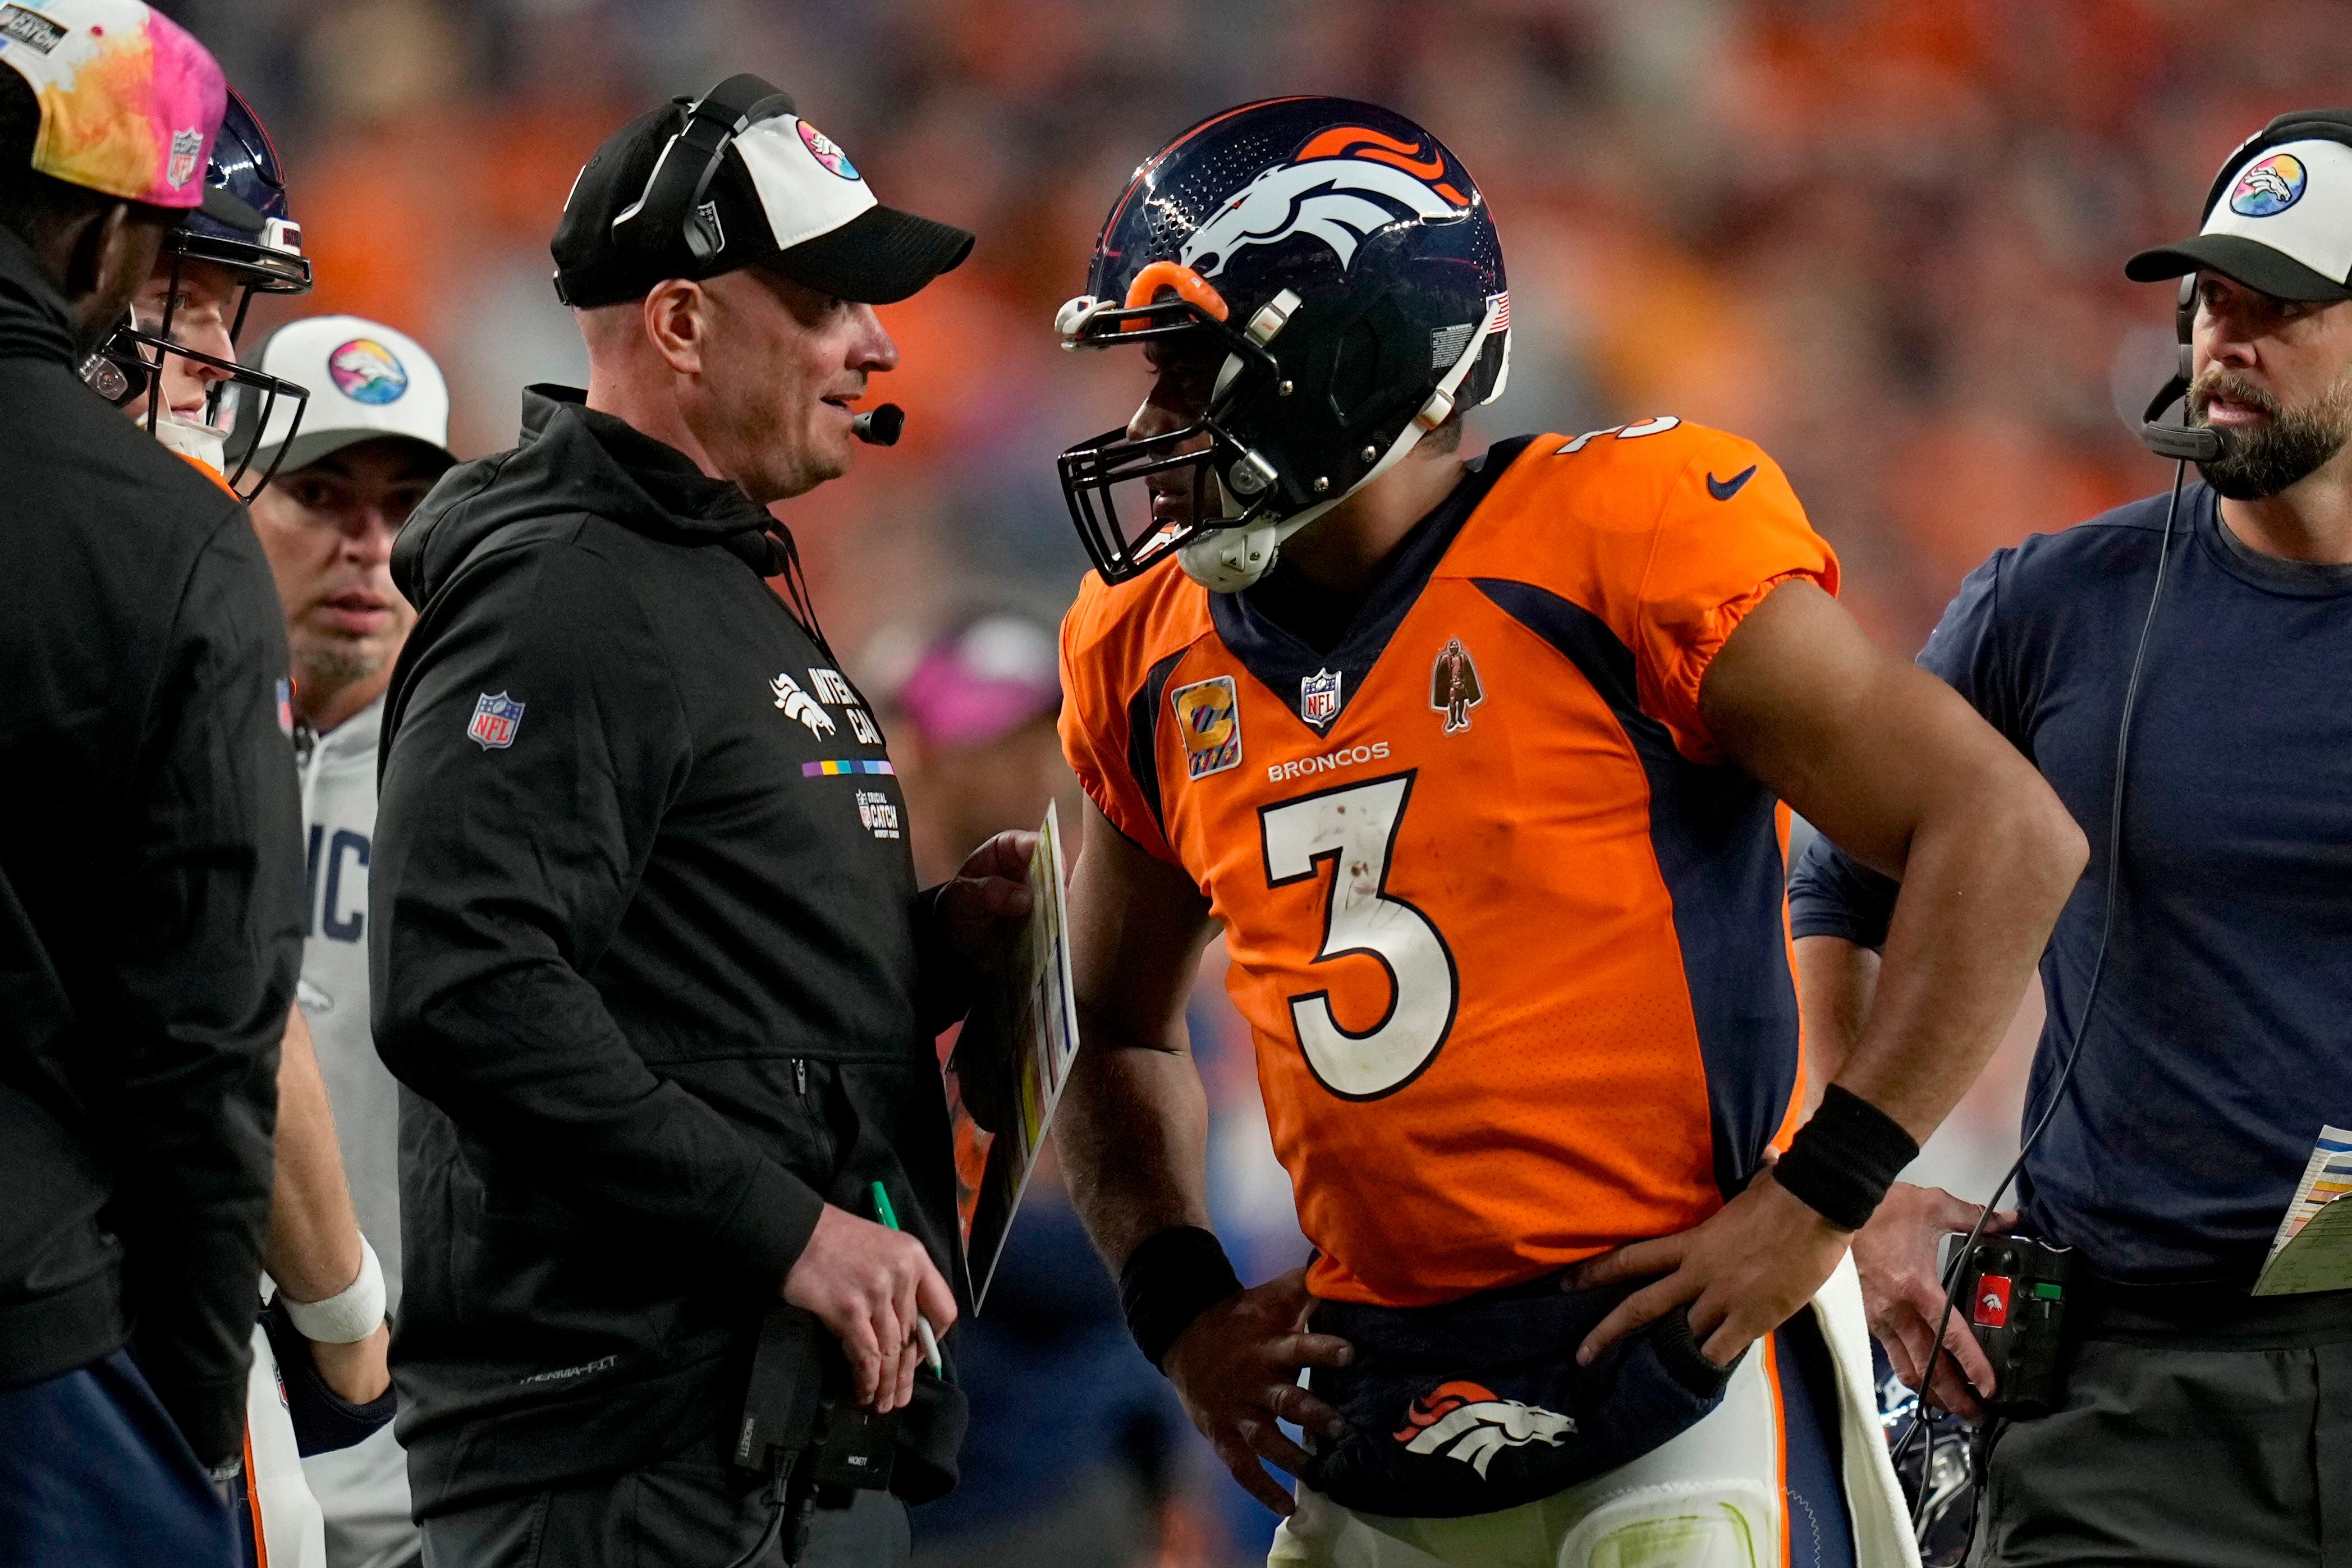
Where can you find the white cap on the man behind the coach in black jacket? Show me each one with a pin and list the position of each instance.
(366, 382)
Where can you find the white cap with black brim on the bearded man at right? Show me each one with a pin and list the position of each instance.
(2280, 215)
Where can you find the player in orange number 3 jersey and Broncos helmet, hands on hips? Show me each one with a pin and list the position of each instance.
(1478, 768)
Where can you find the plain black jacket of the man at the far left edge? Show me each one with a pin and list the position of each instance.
(149, 890)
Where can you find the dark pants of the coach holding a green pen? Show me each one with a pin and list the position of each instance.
(681, 1513)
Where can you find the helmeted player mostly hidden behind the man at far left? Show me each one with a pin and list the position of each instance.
(321, 1376)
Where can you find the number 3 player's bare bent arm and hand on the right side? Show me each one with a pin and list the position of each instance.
(1902, 772)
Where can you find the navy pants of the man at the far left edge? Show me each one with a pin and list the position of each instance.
(95, 1473)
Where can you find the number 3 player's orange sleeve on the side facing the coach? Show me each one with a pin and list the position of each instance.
(1109, 718)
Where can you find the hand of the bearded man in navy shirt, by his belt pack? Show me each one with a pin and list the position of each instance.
(1904, 1294)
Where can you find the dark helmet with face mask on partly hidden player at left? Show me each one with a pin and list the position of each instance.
(133, 361)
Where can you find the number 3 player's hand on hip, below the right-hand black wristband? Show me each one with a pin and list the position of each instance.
(1742, 1273)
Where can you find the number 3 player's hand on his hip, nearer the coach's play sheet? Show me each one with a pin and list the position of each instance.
(1236, 1369)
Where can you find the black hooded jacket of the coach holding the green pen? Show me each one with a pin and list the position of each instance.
(648, 960)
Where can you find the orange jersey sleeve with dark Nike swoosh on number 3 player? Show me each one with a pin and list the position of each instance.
(1730, 532)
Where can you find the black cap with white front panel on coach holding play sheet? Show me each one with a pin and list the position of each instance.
(784, 196)
